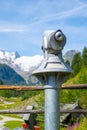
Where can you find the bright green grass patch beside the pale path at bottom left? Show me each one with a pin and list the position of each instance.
(13, 124)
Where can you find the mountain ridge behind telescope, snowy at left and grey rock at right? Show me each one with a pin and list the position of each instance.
(24, 65)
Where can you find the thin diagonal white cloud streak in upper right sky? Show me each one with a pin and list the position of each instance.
(63, 14)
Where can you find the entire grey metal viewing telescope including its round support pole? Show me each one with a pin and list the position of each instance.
(52, 72)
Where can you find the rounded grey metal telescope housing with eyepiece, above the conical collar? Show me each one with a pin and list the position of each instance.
(53, 42)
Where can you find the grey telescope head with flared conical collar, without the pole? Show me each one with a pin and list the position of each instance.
(53, 44)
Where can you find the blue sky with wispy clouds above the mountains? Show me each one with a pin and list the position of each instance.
(23, 22)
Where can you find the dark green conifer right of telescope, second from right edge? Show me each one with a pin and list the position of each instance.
(77, 63)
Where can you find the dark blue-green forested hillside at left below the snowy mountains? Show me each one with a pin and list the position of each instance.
(9, 77)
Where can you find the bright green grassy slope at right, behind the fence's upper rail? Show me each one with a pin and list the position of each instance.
(74, 95)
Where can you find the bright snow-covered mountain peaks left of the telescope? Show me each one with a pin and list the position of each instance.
(19, 63)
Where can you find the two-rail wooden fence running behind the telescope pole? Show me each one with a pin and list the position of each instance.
(33, 88)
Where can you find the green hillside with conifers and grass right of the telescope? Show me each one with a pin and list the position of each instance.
(79, 76)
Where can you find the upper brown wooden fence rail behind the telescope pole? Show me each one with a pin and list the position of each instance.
(32, 88)
